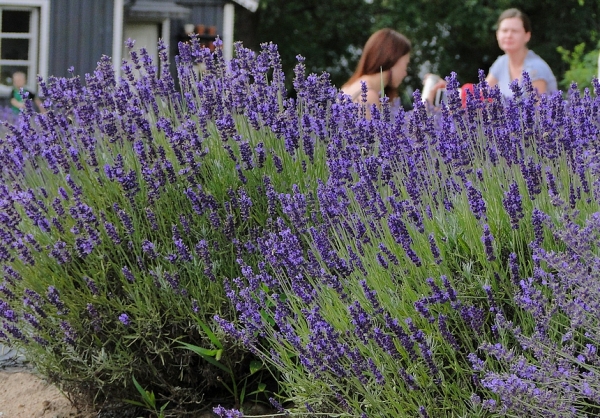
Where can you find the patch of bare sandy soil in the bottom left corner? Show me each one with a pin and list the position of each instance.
(24, 395)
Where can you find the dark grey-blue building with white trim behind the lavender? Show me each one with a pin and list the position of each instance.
(46, 37)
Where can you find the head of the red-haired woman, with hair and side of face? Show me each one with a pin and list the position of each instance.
(385, 50)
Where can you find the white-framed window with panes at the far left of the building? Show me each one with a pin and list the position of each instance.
(19, 42)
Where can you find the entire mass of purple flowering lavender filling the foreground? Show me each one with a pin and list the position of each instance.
(226, 242)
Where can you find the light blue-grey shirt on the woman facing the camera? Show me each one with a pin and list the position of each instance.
(535, 66)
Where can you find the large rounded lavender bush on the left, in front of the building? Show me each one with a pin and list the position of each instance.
(123, 206)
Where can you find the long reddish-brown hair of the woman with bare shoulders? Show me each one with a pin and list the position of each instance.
(381, 52)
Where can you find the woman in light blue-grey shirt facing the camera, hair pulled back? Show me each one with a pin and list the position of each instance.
(513, 34)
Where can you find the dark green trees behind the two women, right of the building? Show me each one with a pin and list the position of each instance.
(447, 35)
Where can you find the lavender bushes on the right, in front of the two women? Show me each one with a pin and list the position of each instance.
(430, 276)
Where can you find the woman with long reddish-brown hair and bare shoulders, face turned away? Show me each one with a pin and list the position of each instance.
(383, 64)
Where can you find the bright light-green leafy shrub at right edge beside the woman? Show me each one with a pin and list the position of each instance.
(583, 66)
